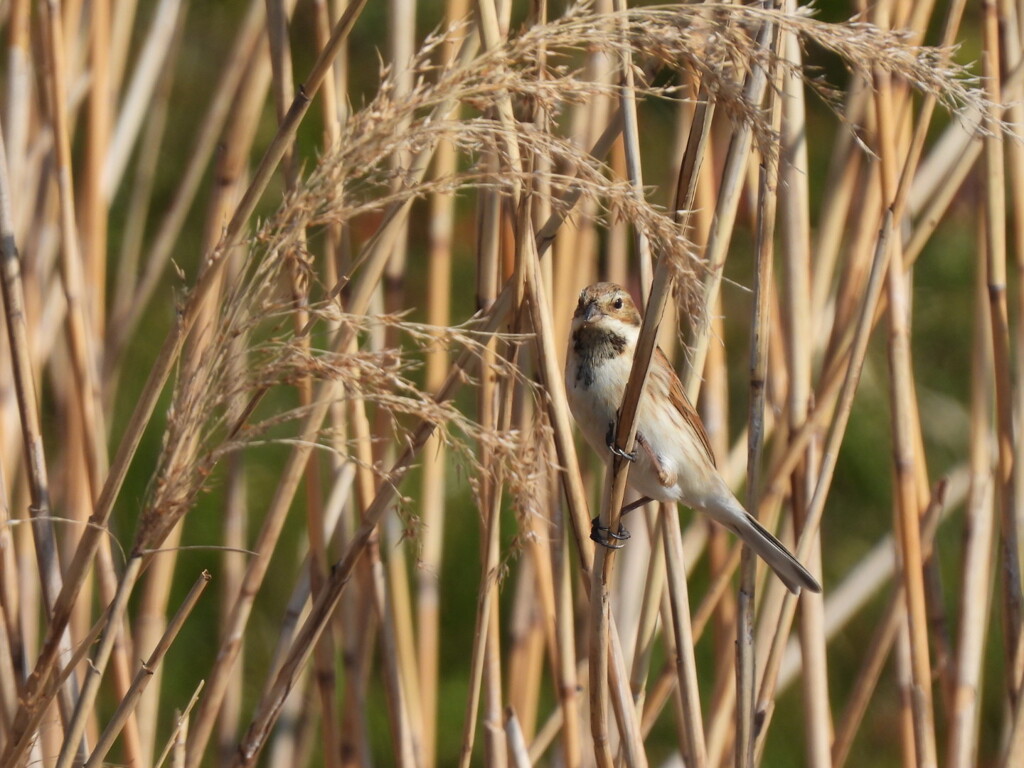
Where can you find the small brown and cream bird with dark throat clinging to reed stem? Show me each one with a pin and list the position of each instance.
(673, 460)
